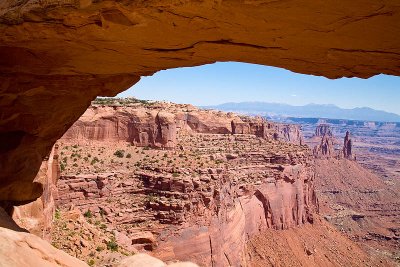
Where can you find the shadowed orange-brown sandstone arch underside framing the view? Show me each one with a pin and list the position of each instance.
(58, 55)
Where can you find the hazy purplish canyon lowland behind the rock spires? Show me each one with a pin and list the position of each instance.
(376, 144)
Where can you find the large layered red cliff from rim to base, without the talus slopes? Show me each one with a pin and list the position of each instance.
(261, 177)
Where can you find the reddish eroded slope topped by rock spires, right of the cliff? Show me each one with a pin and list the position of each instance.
(356, 201)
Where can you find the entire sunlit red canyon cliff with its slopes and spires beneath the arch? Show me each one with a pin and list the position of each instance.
(213, 188)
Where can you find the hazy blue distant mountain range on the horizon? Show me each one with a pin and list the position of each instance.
(311, 110)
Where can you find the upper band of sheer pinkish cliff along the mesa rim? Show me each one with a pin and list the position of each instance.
(151, 126)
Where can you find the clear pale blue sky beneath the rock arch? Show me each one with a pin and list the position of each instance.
(237, 82)
